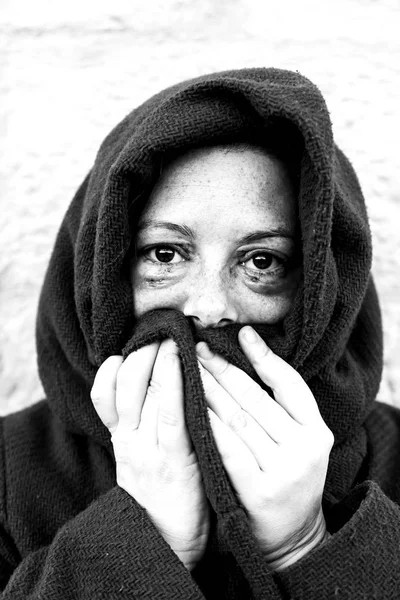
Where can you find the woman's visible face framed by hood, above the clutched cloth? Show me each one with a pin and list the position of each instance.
(217, 239)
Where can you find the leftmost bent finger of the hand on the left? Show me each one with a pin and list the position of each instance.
(103, 392)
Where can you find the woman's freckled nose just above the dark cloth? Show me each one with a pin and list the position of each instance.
(208, 302)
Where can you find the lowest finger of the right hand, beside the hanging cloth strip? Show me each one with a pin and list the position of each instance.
(239, 462)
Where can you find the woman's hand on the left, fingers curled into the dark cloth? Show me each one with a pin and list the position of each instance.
(140, 401)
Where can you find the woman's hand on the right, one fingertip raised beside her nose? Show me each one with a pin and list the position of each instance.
(275, 451)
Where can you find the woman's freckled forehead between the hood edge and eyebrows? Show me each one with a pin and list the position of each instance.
(241, 182)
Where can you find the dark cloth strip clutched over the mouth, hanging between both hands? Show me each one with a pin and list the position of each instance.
(232, 530)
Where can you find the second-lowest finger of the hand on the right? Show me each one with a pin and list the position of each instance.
(240, 422)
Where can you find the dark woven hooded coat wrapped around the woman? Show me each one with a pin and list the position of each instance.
(67, 530)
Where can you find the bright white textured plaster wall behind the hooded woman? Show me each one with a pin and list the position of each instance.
(71, 70)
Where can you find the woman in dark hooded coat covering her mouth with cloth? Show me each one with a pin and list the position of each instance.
(210, 291)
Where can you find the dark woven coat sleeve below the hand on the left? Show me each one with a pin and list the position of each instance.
(110, 550)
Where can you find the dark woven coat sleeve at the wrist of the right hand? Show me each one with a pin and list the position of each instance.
(360, 561)
